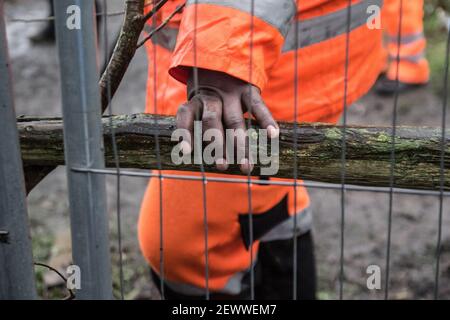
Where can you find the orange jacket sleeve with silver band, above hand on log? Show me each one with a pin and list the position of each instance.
(232, 37)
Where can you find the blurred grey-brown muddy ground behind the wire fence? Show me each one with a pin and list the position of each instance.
(415, 218)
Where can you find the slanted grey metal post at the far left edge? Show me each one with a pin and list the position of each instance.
(16, 258)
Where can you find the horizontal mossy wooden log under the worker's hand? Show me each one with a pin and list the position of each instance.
(368, 150)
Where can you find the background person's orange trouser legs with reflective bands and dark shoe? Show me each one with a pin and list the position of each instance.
(405, 47)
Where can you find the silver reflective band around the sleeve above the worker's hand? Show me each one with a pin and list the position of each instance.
(277, 13)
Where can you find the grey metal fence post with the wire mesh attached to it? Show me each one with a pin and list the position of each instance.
(76, 38)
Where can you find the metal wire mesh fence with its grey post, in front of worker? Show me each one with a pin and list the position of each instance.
(86, 169)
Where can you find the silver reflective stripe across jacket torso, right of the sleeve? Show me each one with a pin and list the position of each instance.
(315, 30)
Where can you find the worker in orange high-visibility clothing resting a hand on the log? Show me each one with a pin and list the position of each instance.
(281, 60)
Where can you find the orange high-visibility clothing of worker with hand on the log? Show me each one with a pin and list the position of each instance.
(222, 35)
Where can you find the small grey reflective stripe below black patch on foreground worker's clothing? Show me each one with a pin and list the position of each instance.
(285, 230)
